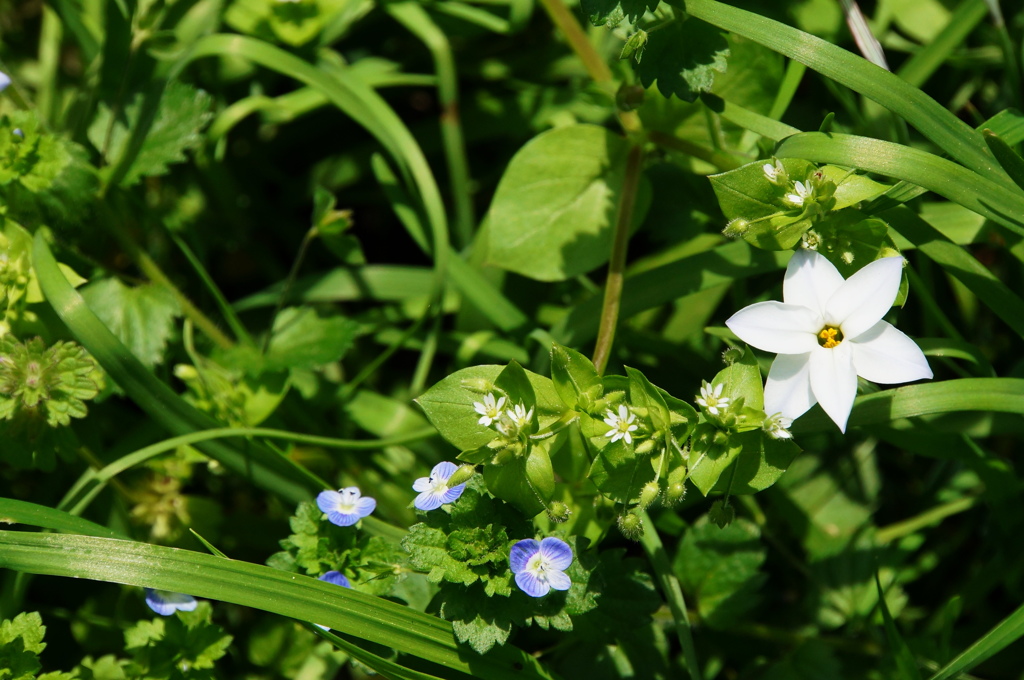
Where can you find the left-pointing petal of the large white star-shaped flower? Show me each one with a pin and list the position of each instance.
(777, 327)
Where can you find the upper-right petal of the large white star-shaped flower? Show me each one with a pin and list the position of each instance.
(866, 297)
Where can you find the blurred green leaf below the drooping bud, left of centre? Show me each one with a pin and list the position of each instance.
(304, 339)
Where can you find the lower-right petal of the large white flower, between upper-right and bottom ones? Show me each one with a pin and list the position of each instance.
(886, 356)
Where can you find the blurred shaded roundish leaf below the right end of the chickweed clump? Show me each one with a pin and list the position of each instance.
(721, 570)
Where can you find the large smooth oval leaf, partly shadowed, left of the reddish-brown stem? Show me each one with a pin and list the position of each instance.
(554, 212)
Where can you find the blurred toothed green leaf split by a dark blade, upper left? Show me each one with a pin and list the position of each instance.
(183, 114)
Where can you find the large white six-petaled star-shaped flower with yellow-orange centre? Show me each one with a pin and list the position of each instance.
(828, 332)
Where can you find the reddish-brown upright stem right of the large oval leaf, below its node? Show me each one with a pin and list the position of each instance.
(617, 267)
